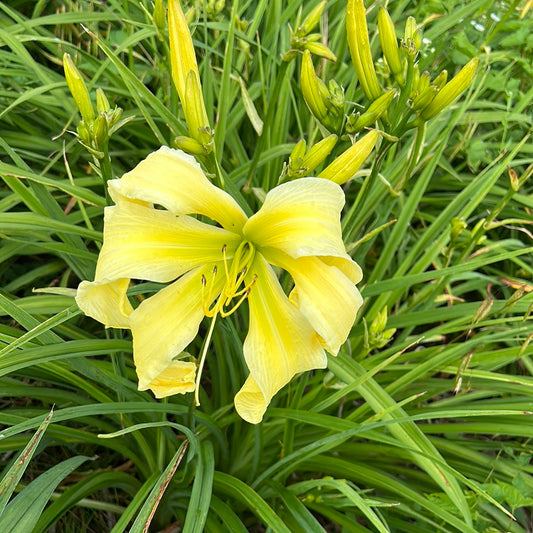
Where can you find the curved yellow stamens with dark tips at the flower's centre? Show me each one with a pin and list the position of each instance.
(234, 285)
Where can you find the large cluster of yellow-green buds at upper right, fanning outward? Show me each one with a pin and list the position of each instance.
(424, 97)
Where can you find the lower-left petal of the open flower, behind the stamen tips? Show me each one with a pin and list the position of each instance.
(164, 324)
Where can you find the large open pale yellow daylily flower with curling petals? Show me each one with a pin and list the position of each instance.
(211, 268)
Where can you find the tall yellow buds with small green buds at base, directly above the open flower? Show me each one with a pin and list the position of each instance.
(187, 82)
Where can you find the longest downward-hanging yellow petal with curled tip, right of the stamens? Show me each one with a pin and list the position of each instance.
(280, 343)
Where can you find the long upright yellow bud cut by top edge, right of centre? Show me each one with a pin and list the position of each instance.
(357, 34)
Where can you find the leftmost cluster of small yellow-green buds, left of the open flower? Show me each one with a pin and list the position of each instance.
(94, 129)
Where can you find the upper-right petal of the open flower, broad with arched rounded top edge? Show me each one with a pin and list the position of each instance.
(301, 218)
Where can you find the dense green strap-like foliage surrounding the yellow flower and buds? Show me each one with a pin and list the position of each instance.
(423, 422)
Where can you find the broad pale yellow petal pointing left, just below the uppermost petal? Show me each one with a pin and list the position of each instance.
(152, 244)
